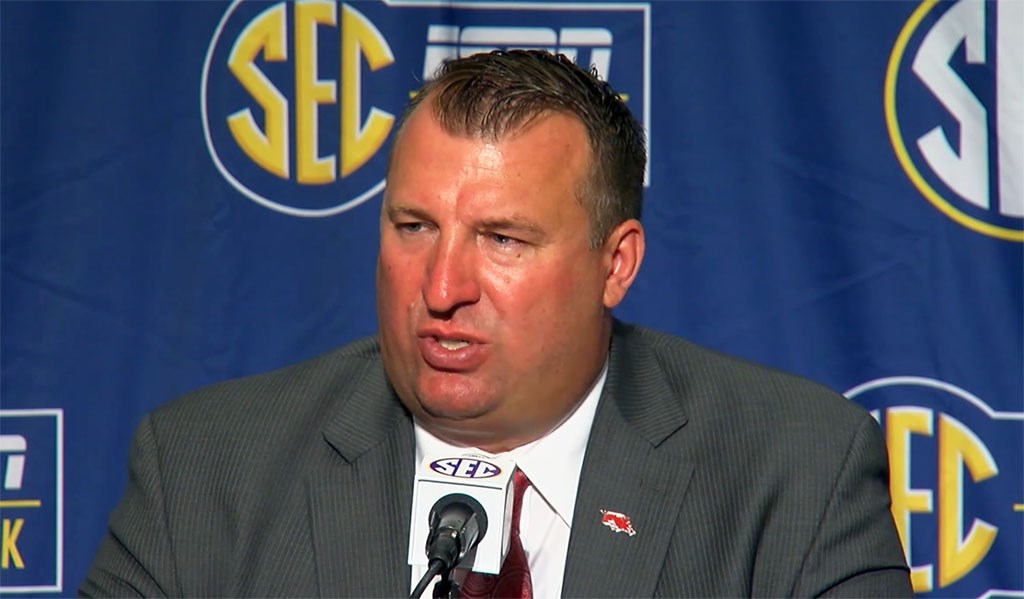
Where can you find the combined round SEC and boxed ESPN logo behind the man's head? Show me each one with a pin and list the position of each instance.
(300, 100)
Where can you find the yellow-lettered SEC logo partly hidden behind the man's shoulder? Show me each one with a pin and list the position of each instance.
(957, 485)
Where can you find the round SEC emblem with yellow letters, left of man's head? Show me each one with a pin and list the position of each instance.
(290, 117)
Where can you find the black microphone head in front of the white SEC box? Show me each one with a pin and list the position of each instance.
(458, 523)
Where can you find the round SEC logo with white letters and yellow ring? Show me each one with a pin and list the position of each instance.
(955, 114)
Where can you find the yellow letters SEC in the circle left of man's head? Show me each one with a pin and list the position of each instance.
(269, 145)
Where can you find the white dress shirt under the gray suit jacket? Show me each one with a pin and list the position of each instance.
(552, 464)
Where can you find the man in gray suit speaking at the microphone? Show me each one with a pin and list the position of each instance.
(508, 233)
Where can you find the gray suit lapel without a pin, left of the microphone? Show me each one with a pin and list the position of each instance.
(361, 500)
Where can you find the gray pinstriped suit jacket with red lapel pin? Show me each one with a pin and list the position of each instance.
(740, 482)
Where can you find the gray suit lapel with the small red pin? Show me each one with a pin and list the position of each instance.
(633, 466)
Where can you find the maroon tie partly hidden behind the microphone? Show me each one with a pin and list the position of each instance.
(515, 580)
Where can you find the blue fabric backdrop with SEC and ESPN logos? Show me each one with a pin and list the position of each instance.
(191, 192)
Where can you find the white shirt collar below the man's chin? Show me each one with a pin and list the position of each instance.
(552, 463)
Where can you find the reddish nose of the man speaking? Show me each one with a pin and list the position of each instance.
(452, 278)
